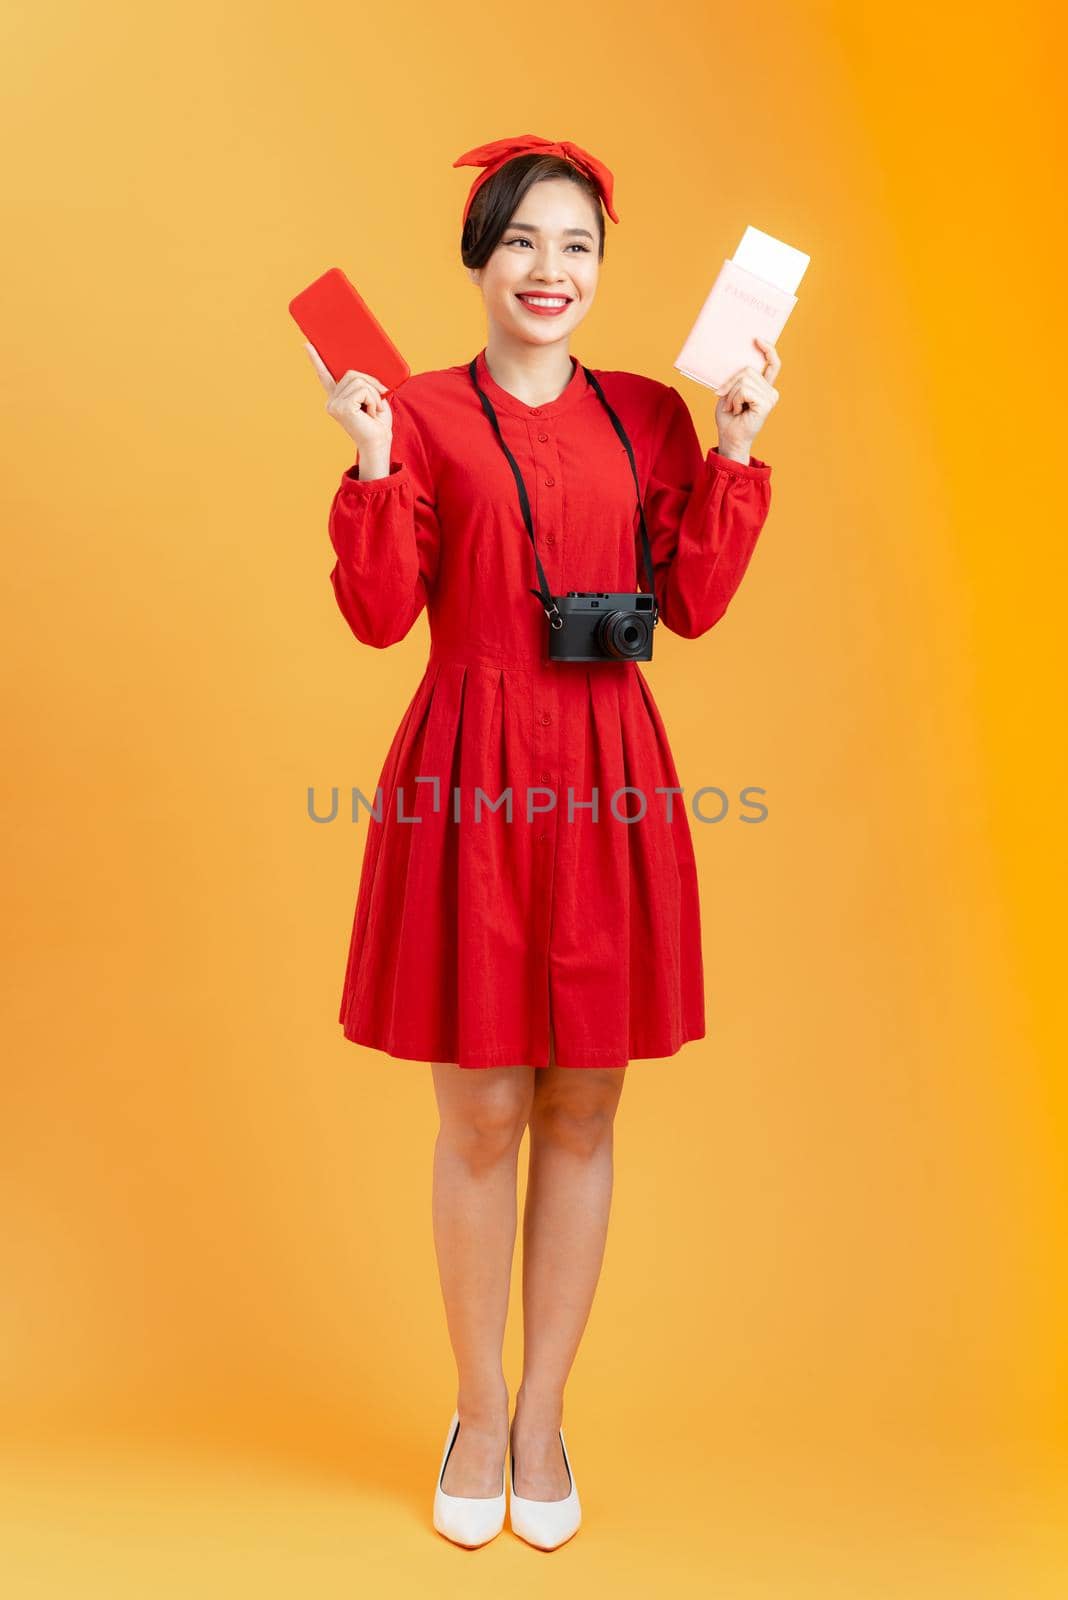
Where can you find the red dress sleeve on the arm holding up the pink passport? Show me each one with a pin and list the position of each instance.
(704, 516)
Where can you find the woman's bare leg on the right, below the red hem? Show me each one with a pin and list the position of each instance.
(565, 1231)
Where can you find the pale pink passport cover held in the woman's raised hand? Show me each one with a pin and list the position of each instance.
(722, 340)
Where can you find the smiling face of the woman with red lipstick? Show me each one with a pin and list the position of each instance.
(549, 249)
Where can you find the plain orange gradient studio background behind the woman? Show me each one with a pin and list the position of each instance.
(829, 1348)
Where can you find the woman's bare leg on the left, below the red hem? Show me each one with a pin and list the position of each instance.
(484, 1116)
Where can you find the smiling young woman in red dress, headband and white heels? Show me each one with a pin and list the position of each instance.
(530, 951)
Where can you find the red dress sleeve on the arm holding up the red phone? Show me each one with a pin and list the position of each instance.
(386, 538)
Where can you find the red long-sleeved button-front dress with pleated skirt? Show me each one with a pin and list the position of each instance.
(474, 937)
